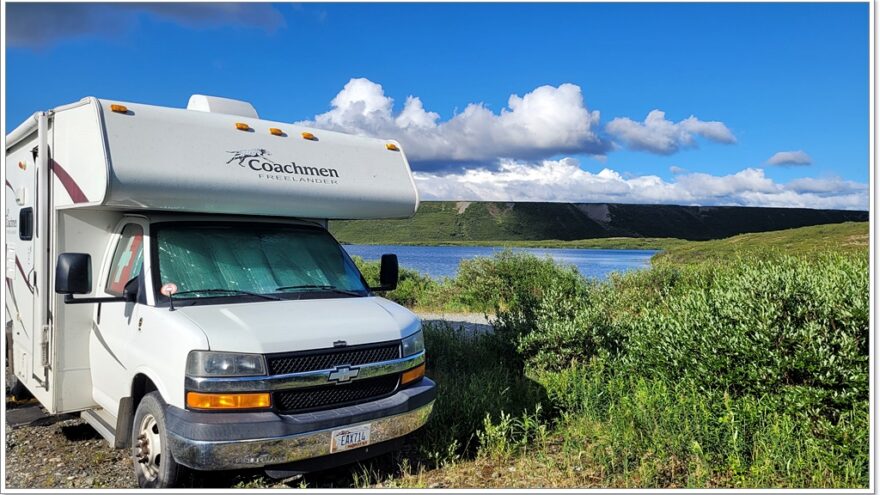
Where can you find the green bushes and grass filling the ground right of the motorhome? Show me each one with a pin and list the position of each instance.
(745, 368)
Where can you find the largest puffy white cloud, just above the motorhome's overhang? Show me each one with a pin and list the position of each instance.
(544, 122)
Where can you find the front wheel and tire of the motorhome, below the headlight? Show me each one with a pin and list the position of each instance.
(153, 467)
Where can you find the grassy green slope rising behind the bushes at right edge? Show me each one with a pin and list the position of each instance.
(850, 237)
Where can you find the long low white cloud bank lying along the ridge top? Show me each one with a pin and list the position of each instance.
(564, 180)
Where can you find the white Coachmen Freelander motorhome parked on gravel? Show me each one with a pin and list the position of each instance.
(170, 276)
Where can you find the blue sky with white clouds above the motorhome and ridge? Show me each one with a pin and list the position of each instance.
(728, 86)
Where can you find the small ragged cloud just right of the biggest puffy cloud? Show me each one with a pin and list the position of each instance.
(659, 135)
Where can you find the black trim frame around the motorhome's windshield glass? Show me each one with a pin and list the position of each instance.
(164, 301)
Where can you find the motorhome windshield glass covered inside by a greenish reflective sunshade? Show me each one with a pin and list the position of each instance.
(268, 261)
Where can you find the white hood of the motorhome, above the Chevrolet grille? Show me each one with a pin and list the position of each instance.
(296, 325)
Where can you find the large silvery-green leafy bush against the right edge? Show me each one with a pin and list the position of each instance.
(788, 326)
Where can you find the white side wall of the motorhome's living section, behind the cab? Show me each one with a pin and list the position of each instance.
(50, 339)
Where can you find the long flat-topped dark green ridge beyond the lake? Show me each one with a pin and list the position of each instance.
(456, 221)
